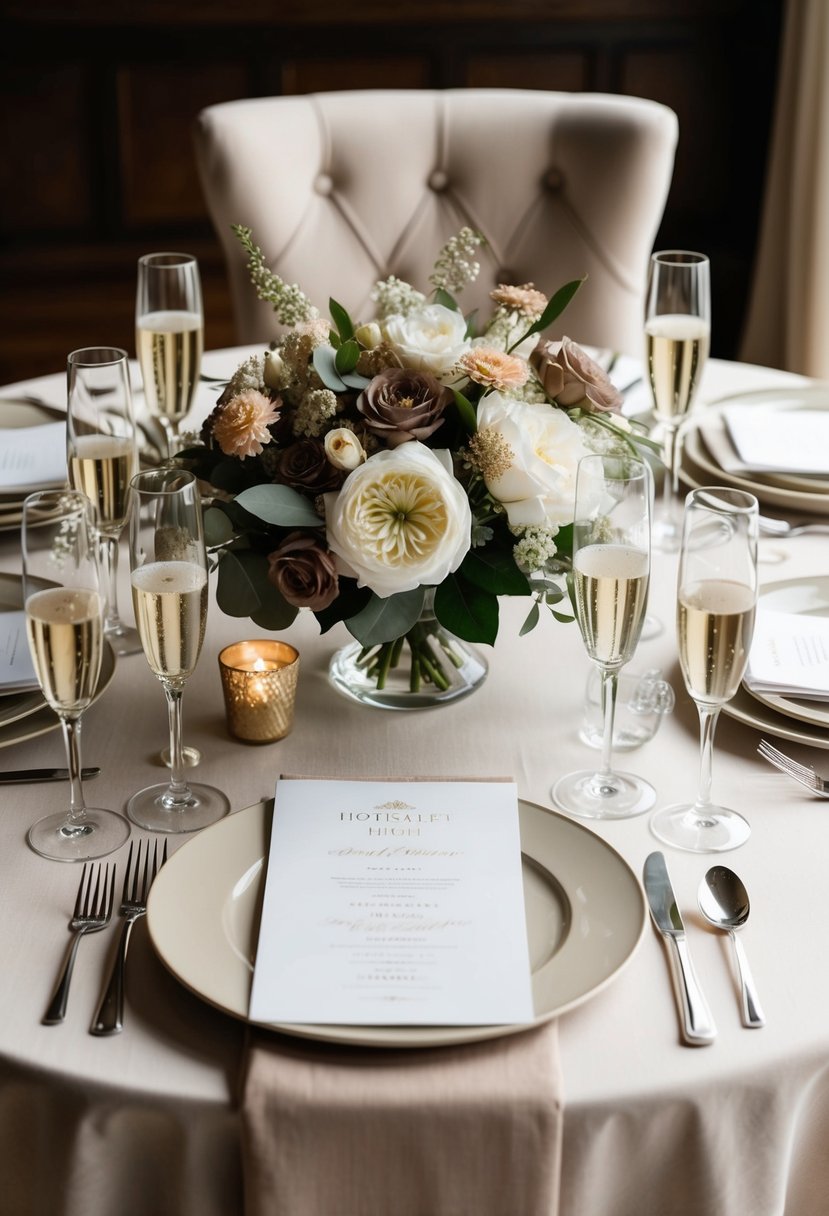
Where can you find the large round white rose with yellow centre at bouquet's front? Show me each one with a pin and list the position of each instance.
(401, 521)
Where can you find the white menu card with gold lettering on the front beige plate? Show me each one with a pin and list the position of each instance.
(393, 903)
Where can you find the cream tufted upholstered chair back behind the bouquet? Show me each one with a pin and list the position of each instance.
(342, 189)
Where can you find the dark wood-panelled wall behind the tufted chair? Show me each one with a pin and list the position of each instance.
(98, 103)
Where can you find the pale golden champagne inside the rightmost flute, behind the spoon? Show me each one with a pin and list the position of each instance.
(715, 623)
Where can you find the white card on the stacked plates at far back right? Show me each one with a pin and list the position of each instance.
(783, 441)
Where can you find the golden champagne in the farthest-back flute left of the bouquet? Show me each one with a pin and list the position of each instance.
(170, 348)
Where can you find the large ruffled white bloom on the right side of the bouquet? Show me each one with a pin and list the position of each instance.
(544, 449)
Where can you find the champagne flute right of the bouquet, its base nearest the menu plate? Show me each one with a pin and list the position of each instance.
(611, 575)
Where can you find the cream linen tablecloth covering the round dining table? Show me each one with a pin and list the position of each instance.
(148, 1122)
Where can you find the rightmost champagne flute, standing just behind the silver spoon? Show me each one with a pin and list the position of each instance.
(717, 603)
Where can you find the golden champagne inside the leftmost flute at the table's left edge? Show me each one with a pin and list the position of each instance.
(65, 627)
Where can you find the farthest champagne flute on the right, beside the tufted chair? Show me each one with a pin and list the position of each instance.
(678, 336)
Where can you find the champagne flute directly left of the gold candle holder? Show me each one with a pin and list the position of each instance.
(170, 577)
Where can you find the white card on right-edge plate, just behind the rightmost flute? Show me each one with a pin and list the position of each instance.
(789, 656)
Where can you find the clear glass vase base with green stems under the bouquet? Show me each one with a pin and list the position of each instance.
(425, 668)
